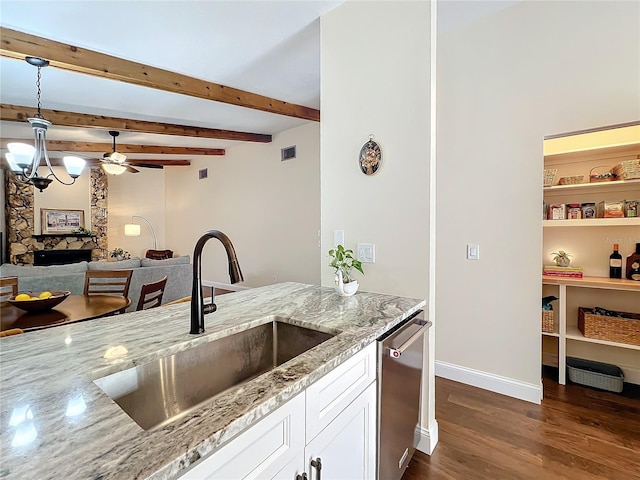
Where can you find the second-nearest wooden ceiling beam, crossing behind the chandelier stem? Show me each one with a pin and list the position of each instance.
(17, 113)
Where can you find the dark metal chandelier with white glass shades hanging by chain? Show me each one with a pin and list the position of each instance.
(24, 159)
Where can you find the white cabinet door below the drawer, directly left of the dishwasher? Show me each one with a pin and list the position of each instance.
(347, 446)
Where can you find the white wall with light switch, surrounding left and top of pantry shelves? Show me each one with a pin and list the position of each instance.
(504, 82)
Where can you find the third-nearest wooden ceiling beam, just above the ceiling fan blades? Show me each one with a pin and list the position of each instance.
(65, 146)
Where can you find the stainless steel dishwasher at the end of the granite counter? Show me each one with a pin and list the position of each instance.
(400, 353)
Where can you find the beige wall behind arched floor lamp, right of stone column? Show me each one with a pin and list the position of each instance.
(142, 194)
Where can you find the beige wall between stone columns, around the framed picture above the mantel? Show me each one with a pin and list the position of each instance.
(57, 195)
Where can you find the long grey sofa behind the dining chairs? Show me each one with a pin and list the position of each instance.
(179, 272)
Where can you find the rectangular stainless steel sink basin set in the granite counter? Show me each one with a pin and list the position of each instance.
(157, 393)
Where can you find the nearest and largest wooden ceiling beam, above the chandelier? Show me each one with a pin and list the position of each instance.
(18, 45)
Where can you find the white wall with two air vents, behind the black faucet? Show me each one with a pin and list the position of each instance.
(269, 209)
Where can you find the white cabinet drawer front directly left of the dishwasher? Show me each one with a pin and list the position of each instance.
(335, 391)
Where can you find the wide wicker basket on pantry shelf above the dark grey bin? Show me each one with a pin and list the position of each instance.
(625, 329)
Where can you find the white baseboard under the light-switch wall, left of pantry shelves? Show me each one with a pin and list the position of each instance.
(488, 381)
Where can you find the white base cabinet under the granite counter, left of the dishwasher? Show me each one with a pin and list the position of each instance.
(334, 419)
